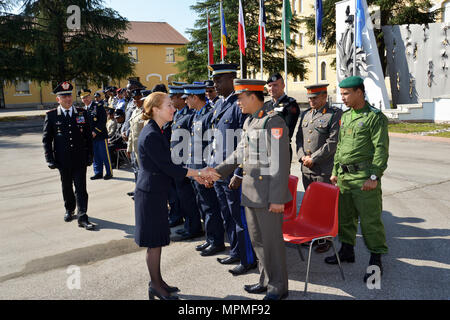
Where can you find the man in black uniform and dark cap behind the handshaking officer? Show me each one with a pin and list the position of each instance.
(286, 106)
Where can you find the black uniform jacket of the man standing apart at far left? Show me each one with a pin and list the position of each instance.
(67, 142)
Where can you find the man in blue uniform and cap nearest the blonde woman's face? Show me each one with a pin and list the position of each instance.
(180, 134)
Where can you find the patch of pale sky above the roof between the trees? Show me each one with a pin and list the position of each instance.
(177, 13)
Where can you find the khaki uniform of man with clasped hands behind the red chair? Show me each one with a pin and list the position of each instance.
(317, 137)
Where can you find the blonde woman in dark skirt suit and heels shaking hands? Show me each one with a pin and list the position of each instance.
(152, 189)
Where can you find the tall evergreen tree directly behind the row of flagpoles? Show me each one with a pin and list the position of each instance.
(194, 65)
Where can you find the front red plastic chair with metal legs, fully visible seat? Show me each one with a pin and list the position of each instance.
(317, 219)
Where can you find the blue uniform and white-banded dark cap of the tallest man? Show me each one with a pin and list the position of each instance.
(227, 118)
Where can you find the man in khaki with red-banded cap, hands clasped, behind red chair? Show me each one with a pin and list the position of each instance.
(316, 141)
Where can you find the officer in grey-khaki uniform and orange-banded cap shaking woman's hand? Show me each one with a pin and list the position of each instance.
(263, 153)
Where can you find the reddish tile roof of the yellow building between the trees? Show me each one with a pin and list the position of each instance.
(153, 33)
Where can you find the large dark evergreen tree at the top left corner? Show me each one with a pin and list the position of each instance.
(37, 44)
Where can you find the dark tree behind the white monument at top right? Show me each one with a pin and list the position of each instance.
(392, 12)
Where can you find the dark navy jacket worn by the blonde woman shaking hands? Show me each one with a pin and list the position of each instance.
(155, 163)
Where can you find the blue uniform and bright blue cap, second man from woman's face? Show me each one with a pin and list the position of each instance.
(206, 197)
